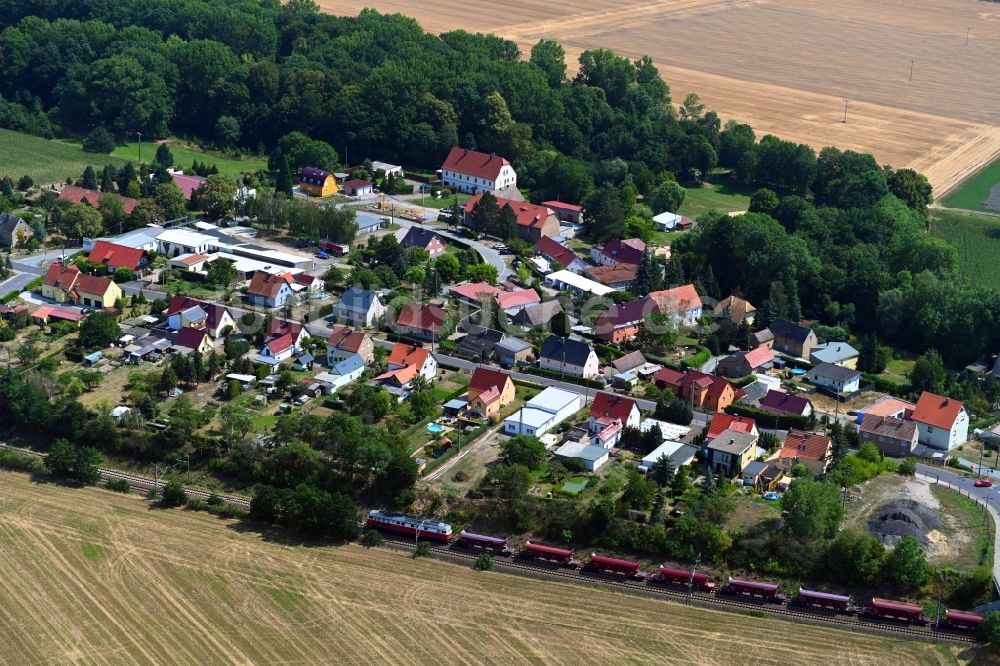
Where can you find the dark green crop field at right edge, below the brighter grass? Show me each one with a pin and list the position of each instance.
(977, 237)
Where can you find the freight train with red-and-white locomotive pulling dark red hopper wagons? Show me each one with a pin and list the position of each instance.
(880, 610)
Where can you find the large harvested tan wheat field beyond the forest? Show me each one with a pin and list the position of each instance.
(786, 66)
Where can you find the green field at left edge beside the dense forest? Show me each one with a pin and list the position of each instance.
(45, 161)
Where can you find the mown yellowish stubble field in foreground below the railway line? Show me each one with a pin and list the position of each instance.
(93, 577)
